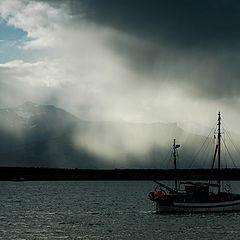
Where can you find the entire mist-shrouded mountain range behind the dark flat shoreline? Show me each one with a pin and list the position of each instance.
(34, 135)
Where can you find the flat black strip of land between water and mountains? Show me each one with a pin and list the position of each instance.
(54, 174)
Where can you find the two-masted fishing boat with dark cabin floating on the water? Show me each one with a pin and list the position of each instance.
(196, 196)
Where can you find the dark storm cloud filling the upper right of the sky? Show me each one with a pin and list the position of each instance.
(192, 43)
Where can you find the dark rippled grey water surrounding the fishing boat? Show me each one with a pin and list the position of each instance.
(100, 210)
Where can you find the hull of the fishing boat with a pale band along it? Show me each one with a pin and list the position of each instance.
(225, 206)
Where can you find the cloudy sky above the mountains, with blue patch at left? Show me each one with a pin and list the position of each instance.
(135, 61)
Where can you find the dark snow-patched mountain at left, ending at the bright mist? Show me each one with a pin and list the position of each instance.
(36, 135)
